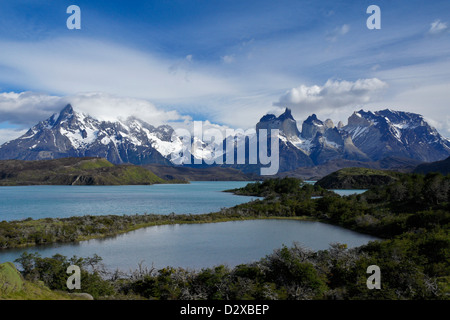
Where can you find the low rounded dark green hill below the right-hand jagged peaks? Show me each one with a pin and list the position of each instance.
(357, 178)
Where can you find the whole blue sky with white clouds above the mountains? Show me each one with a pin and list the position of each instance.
(226, 61)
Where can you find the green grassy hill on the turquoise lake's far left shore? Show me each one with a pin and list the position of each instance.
(73, 171)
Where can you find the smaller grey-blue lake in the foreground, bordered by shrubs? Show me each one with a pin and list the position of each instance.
(202, 245)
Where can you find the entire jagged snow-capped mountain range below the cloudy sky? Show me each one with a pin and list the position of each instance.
(366, 138)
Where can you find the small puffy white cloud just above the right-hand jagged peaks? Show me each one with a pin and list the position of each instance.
(334, 94)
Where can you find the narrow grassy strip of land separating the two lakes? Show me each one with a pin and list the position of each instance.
(27, 233)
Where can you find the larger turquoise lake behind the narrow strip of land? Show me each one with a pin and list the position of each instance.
(37, 202)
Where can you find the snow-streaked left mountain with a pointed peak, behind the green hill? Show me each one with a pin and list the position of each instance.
(72, 134)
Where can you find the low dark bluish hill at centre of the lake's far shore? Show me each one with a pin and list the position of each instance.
(200, 174)
